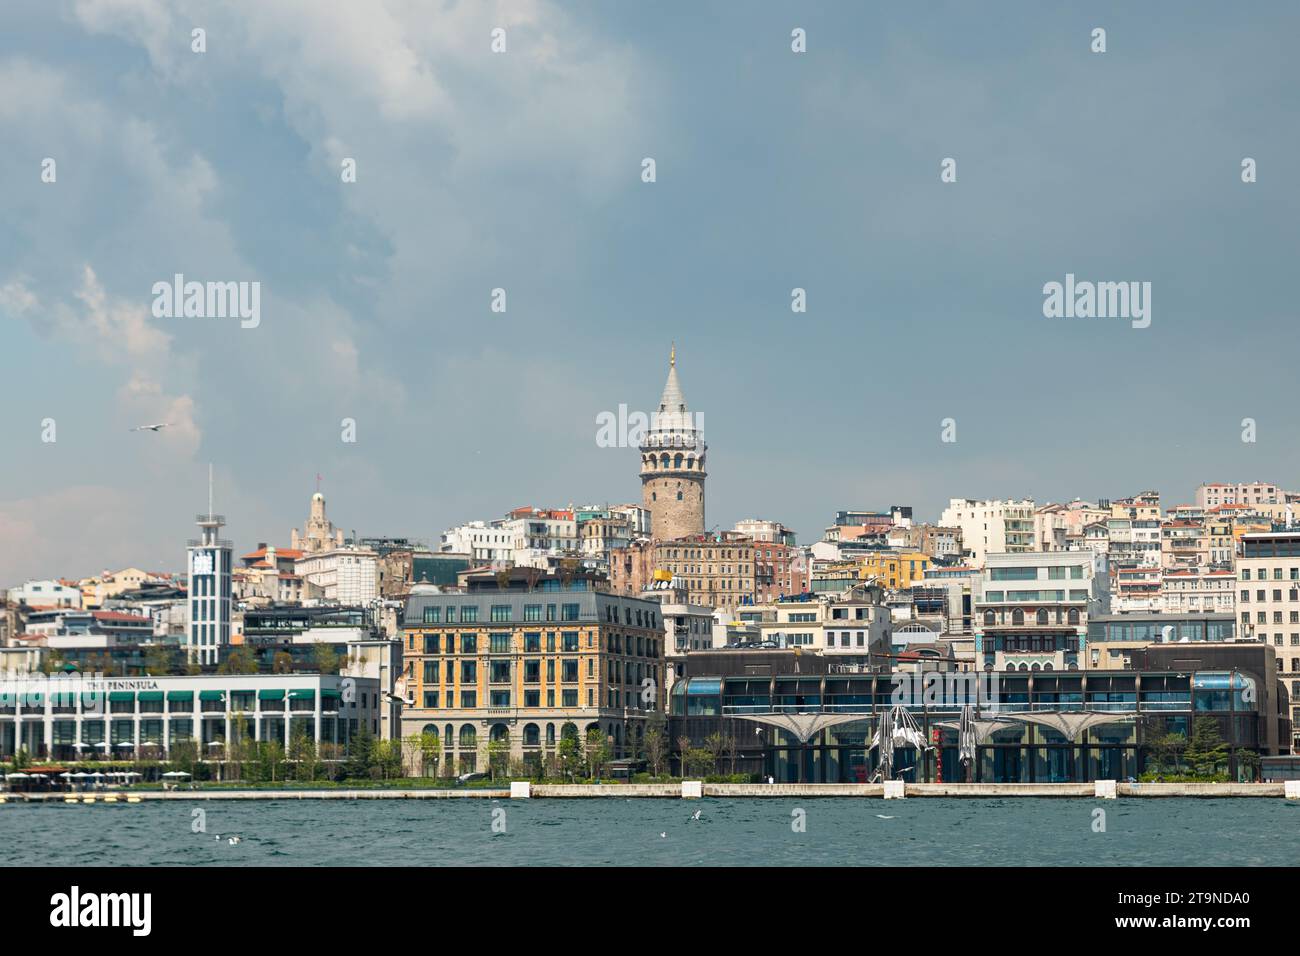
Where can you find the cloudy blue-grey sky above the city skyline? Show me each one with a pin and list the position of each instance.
(523, 171)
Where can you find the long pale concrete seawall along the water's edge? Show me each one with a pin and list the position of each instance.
(695, 789)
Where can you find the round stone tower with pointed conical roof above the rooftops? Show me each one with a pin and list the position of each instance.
(673, 465)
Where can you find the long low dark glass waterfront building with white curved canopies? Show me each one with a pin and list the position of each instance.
(1033, 728)
